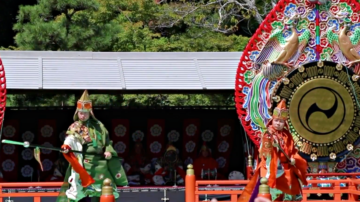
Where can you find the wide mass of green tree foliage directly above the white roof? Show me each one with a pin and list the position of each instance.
(114, 25)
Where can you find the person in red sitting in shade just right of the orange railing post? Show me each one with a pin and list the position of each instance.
(204, 162)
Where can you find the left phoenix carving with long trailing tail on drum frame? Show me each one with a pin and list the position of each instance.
(279, 55)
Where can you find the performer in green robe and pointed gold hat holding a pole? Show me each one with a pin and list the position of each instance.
(98, 161)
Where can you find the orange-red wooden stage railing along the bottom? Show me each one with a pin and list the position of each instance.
(192, 188)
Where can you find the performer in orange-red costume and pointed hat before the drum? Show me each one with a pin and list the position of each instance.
(284, 172)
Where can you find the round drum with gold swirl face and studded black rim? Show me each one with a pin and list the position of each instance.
(323, 116)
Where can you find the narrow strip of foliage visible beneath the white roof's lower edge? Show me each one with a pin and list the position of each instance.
(130, 100)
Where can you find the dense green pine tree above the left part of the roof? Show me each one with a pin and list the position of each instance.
(65, 25)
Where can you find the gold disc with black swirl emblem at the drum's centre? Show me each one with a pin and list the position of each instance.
(321, 110)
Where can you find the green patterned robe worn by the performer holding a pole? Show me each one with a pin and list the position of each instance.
(94, 160)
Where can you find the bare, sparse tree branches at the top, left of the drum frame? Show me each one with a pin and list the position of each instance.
(228, 13)
